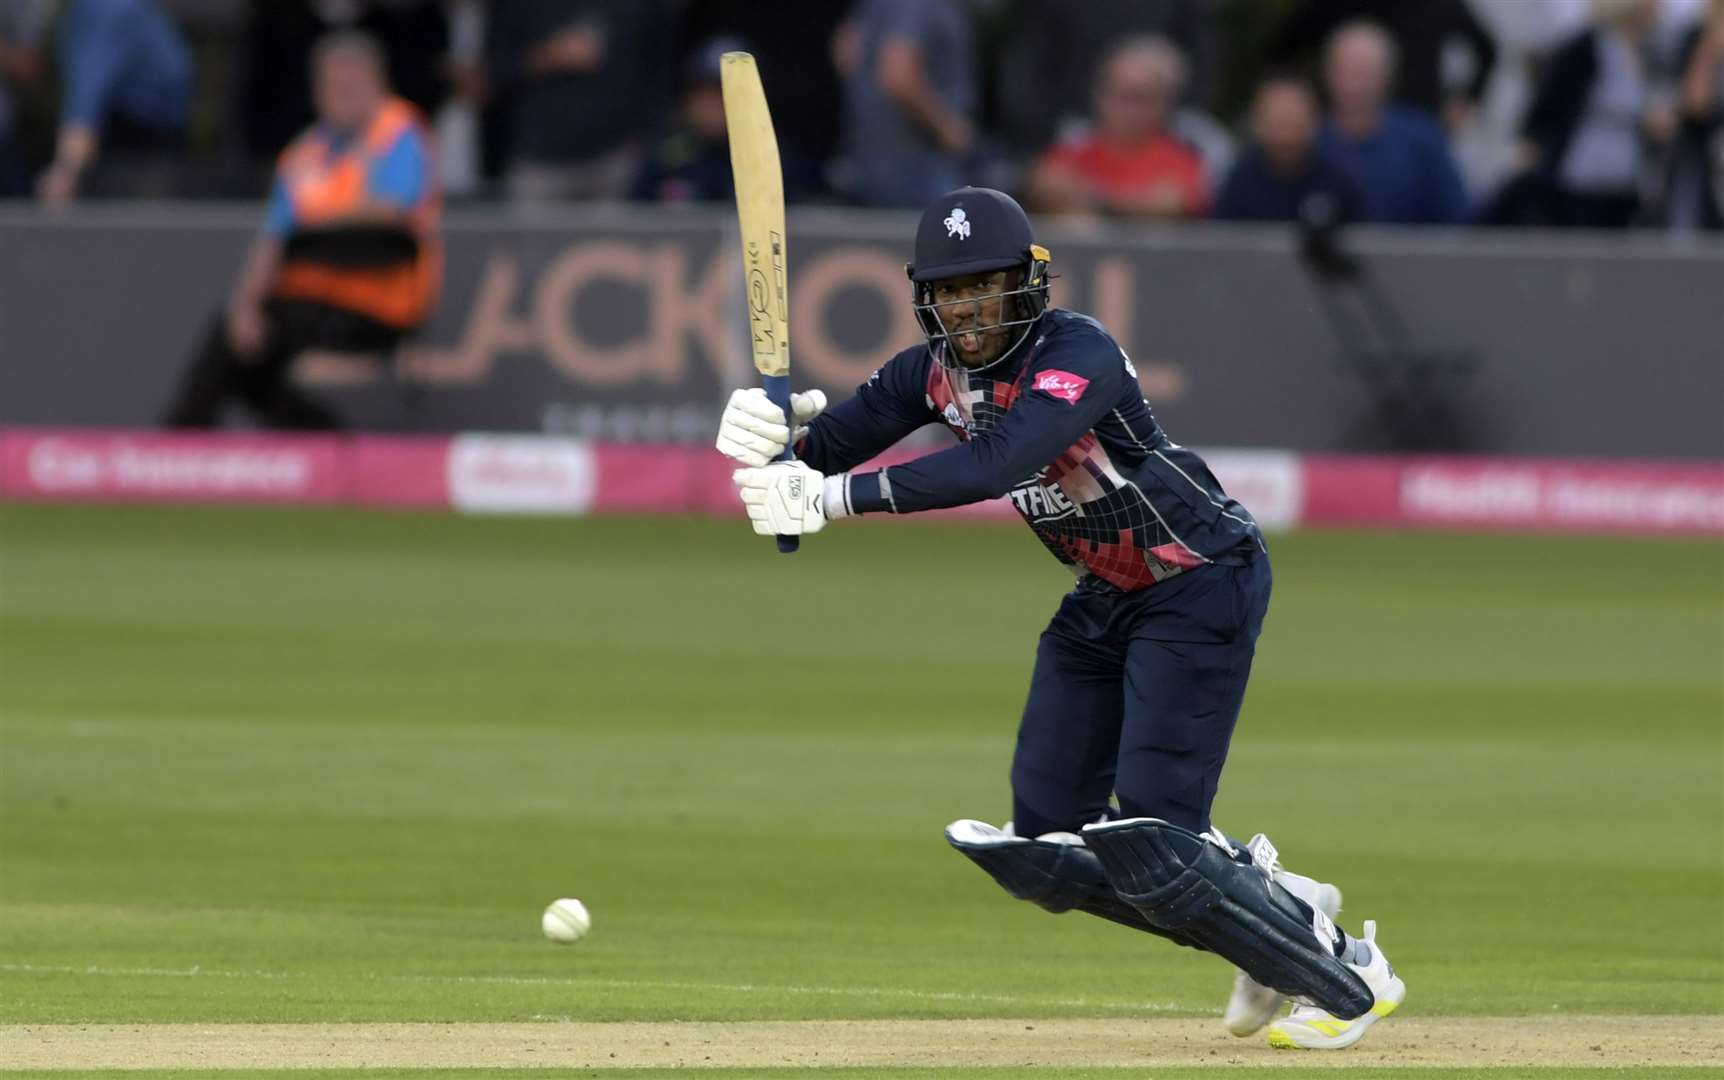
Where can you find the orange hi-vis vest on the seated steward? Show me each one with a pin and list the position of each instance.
(363, 230)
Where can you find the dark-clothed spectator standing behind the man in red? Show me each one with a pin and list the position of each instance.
(1047, 72)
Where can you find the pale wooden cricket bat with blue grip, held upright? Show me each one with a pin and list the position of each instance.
(761, 210)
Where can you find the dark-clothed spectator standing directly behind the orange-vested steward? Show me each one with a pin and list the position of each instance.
(277, 97)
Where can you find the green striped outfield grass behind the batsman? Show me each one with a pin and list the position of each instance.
(282, 767)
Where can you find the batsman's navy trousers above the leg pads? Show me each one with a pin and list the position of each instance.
(1137, 694)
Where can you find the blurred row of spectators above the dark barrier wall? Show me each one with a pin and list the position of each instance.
(1552, 113)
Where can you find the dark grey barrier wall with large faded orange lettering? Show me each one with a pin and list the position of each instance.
(628, 325)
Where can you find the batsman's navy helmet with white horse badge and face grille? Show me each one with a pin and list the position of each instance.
(977, 232)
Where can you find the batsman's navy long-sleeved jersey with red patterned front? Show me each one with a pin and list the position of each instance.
(1065, 430)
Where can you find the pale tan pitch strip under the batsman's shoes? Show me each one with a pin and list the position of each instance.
(1404, 1041)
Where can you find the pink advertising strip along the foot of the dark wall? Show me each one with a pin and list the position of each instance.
(413, 474)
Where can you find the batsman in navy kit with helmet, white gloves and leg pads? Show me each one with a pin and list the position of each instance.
(1140, 675)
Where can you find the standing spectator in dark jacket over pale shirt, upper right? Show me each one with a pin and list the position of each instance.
(1583, 139)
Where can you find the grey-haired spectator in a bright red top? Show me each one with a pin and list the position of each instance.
(1130, 166)
